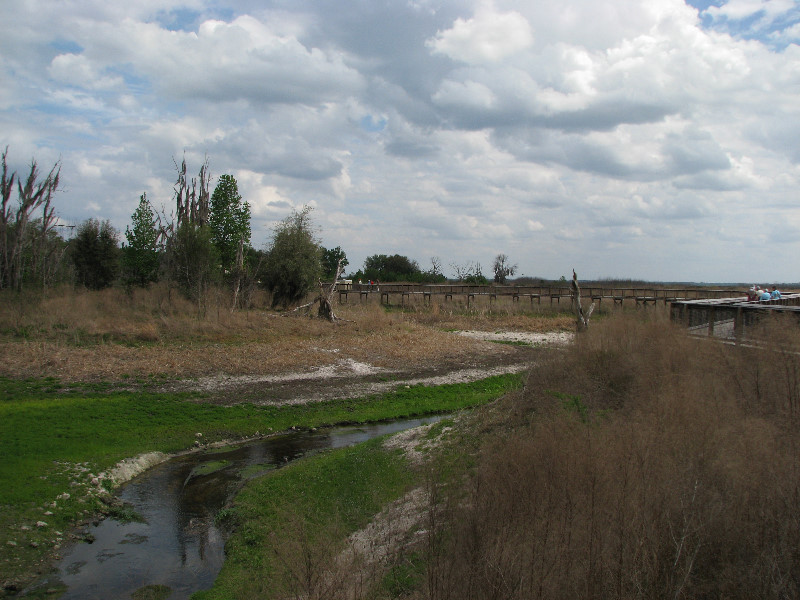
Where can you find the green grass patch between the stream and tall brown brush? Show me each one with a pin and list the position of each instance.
(292, 523)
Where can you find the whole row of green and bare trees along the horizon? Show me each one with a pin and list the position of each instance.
(205, 241)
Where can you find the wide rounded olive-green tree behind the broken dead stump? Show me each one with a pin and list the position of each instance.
(293, 262)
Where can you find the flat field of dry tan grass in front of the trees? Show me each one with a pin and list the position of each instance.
(113, 335)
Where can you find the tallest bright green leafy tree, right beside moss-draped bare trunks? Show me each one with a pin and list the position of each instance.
(229, 223)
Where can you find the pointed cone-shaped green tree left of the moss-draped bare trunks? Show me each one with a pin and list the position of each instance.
(140, 257)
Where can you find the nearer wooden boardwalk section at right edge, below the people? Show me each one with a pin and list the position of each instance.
(731, 318)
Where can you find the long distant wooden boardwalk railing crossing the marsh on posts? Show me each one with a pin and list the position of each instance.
(550, 293)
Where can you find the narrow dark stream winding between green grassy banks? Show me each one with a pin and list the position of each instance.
(178, 545)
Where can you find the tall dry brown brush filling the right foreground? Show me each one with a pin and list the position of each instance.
(639, 464)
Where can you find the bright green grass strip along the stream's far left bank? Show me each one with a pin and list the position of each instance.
(54, 437)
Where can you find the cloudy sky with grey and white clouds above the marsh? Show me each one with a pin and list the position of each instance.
(635, 139)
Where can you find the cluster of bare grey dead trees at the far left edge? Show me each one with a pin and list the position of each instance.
(19, 227)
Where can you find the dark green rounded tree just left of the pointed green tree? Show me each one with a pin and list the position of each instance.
(95, 254)
